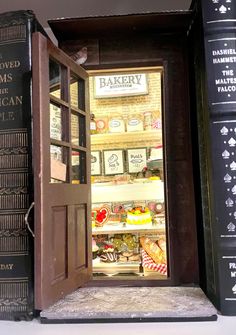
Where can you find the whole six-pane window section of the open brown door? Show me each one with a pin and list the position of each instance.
(67, 126)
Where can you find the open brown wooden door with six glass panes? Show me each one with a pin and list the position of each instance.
(61, 172)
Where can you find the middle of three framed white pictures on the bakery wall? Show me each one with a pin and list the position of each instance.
(113, 162)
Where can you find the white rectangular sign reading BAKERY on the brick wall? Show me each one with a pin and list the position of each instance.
(119, 85)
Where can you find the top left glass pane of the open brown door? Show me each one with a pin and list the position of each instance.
(55, 78)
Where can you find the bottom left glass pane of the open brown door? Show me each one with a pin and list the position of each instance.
(59, 164)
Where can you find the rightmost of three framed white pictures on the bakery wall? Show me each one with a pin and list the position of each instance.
(137, 159)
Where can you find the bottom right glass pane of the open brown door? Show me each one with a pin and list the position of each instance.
(78, 161)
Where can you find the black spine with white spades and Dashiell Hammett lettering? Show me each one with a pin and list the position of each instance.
(219, 23)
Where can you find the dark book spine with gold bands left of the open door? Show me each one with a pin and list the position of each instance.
(16, 179)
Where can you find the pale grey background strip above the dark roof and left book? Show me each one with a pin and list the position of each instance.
(52, 9)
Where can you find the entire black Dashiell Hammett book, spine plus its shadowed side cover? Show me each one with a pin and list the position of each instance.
(215, 74)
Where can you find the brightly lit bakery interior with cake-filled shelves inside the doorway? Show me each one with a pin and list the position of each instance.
(128, 201)
